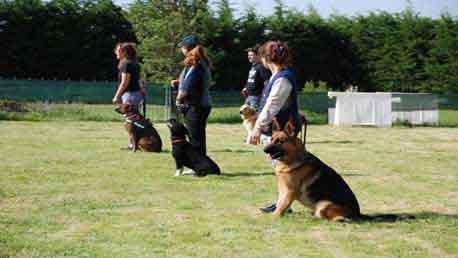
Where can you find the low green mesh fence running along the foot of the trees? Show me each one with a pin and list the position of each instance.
(102, 93)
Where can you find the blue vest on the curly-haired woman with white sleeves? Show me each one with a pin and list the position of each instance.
(290, 109)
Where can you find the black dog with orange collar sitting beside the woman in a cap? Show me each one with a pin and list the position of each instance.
(186, 155)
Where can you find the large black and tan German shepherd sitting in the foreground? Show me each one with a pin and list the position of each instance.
(303, 177)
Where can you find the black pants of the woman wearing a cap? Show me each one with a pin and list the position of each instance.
(195, 120)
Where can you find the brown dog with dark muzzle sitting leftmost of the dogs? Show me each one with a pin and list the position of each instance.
(141, 131)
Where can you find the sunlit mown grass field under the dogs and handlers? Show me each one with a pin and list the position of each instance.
(67, 191)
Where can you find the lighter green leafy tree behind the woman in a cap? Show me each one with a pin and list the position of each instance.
(160, 25)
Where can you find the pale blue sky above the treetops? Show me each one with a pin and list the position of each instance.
(430, 8)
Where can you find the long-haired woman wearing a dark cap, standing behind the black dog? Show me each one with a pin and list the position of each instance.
(193, 99)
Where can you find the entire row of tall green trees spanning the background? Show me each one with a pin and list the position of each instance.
(377, 52)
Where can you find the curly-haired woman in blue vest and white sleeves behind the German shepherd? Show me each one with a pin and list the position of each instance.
(279, 99)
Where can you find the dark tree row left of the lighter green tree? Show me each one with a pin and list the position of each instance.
(61, 39)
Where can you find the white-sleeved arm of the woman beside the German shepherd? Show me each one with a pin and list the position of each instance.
(275, 101)
